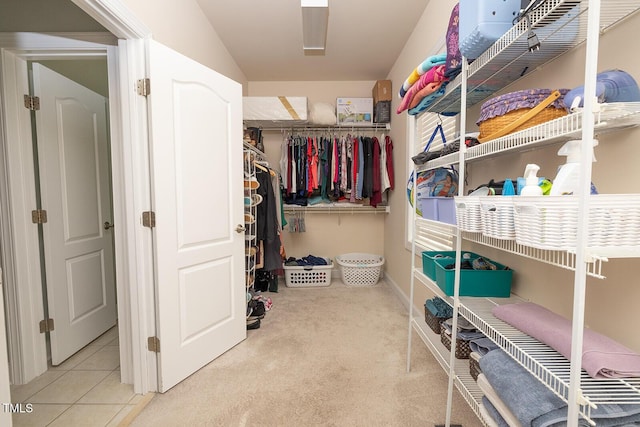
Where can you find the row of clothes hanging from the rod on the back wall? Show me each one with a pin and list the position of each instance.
(340, 168)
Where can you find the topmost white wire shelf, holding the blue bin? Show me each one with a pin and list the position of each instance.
(560, 26)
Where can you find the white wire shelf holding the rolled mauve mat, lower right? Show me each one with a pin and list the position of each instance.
(546, 364)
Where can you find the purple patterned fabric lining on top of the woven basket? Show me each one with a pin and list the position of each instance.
(503, 104)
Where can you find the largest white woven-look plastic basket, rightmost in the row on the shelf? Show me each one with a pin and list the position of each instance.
(551, 222)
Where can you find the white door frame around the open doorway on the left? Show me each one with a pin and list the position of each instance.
(131, 190)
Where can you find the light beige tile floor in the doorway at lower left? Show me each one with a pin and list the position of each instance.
(84, 391)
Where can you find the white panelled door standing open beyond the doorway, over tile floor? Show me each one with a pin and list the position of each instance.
(75, 191)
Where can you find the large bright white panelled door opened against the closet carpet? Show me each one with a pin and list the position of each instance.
(196, 149)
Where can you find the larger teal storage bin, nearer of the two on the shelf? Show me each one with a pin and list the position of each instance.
(475, 283)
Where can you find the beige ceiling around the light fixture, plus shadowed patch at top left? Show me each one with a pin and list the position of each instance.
(265, 37)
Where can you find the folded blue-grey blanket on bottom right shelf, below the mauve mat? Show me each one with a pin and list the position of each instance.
(532, 403)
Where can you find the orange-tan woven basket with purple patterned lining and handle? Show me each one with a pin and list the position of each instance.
(502, 111)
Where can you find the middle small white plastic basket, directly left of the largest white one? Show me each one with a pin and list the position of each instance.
(497, 217)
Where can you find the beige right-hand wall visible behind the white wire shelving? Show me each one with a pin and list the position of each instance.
(611, 306)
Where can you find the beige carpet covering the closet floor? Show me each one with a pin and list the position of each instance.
(331, 356)
